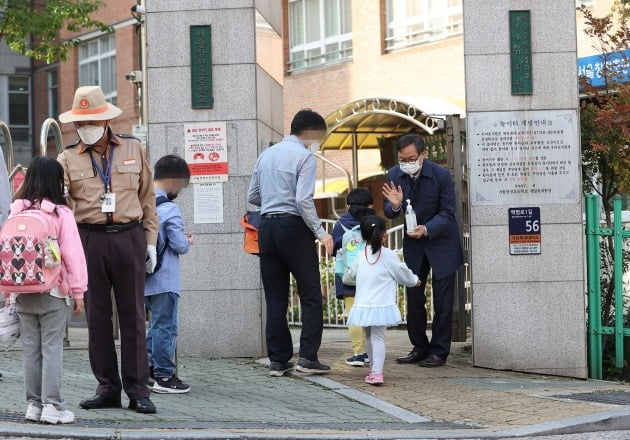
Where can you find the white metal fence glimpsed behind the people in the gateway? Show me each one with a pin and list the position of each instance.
(334, 309)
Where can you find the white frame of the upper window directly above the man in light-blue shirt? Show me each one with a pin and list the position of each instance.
(343, 41)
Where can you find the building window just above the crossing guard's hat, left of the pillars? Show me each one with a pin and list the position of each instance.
(97, 65)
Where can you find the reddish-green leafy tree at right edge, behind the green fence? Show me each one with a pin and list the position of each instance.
(605, 128)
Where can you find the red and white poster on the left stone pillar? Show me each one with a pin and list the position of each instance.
(206, 152)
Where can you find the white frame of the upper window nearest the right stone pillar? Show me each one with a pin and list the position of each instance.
(409, 38)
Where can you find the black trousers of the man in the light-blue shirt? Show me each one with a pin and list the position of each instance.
(287, 246)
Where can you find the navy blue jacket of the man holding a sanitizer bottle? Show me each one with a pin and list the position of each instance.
(433, 199)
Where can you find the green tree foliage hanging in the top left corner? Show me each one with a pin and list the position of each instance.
(32, 27)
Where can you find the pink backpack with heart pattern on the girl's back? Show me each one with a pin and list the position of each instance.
(30, 261)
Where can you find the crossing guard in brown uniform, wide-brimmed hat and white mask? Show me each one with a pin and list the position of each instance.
(110, 185)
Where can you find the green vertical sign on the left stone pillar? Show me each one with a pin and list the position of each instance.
(200, 67)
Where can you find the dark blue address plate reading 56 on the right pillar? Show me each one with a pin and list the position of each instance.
(525, 231)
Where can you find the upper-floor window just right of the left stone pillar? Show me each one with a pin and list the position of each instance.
(320, 31)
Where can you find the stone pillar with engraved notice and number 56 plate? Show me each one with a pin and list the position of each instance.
(528, 310)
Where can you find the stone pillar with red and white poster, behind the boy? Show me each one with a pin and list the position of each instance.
(221, 306)
